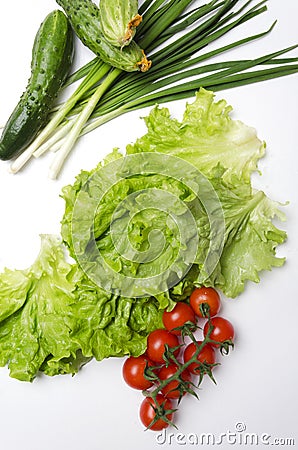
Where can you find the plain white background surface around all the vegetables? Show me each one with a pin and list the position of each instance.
(257, 383)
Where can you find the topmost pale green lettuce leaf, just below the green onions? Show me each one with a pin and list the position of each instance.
(206, 136)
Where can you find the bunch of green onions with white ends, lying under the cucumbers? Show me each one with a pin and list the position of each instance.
(175, 37)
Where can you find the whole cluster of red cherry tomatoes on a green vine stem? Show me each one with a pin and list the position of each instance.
(170, 373)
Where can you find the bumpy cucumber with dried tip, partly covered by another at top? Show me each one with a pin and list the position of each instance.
(85, 19)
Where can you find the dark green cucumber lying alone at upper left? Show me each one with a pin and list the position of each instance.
(52, 56)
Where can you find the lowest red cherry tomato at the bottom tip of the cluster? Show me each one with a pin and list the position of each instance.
(147, 412)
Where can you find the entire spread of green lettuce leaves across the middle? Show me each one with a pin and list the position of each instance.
(177, 211)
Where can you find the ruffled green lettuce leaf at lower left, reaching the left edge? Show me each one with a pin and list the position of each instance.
(54, 320)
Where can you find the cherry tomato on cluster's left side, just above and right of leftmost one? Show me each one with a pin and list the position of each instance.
(156, 342)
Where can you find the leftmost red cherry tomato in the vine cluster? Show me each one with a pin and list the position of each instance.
(133, 372)
